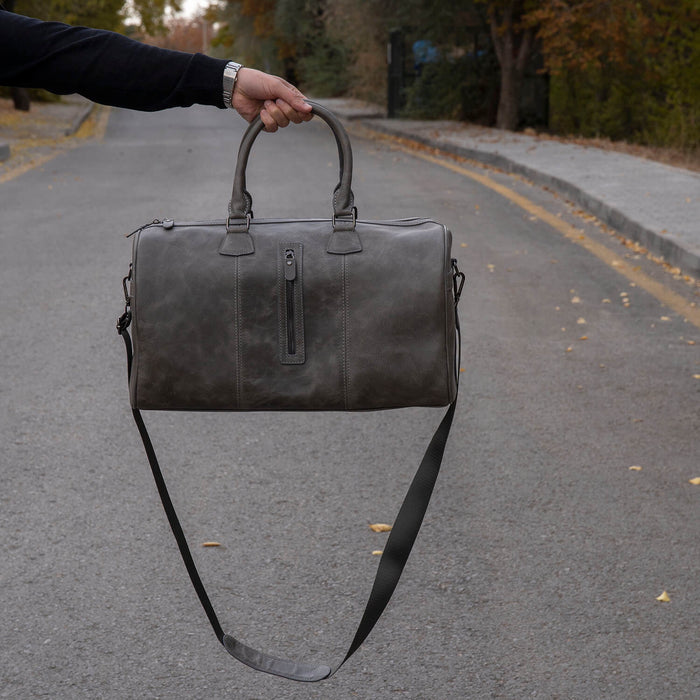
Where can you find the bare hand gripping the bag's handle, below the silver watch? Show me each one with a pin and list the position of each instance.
(277, 101)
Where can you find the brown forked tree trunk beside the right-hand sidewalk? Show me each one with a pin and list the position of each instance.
(513, 45)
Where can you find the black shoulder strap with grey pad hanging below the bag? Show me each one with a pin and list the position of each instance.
(391, 564)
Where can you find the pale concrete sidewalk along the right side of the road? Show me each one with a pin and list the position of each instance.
(655, 204)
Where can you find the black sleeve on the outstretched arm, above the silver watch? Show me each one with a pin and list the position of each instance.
(104, 66)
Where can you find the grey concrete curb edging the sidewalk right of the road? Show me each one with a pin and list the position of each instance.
(669, 249)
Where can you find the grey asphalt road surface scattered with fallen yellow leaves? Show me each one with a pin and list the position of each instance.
(542, 554)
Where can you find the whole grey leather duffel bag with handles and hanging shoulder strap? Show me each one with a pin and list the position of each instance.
(247, 314)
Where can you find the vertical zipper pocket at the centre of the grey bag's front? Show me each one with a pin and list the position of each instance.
(291, 305)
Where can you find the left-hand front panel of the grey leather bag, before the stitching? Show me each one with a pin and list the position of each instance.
(185, 324)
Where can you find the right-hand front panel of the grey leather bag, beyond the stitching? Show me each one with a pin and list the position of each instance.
(399, 351)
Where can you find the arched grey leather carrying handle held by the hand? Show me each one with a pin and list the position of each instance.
(241, 204)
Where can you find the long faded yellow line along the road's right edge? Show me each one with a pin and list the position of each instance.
(656, 289)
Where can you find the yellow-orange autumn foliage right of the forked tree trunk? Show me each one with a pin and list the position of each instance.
(625, 69)
